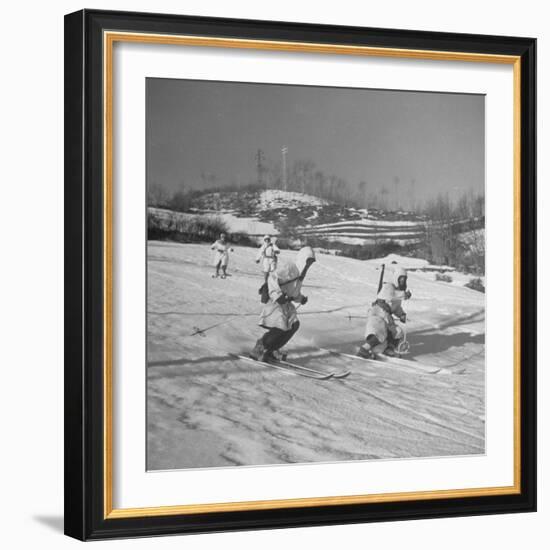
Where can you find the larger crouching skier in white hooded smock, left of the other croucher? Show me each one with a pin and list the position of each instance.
(279, 314)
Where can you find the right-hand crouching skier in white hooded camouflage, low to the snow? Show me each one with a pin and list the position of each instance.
(382, 335)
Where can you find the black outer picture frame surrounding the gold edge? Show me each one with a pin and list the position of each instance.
(84, 282)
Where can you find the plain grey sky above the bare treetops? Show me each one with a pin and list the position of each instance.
(215, 128)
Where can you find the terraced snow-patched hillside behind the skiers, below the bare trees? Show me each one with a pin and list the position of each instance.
(298, 219)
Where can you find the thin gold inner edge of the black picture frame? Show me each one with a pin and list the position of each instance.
(109, 39)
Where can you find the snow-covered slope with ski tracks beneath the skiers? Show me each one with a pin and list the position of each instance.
(206, 409)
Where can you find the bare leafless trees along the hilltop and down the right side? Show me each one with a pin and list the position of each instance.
(454, 235)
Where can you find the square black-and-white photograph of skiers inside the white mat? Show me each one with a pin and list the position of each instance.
(315, 274)
